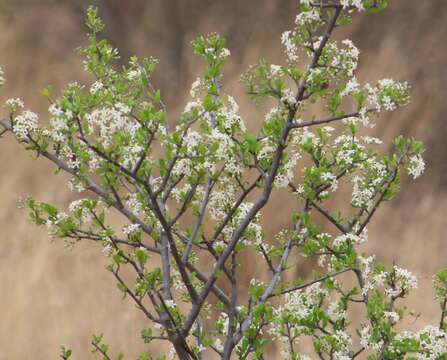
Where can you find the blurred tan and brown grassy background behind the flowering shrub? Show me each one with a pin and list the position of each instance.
(50, 295)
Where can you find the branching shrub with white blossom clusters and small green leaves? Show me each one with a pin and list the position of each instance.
(192, 190)
